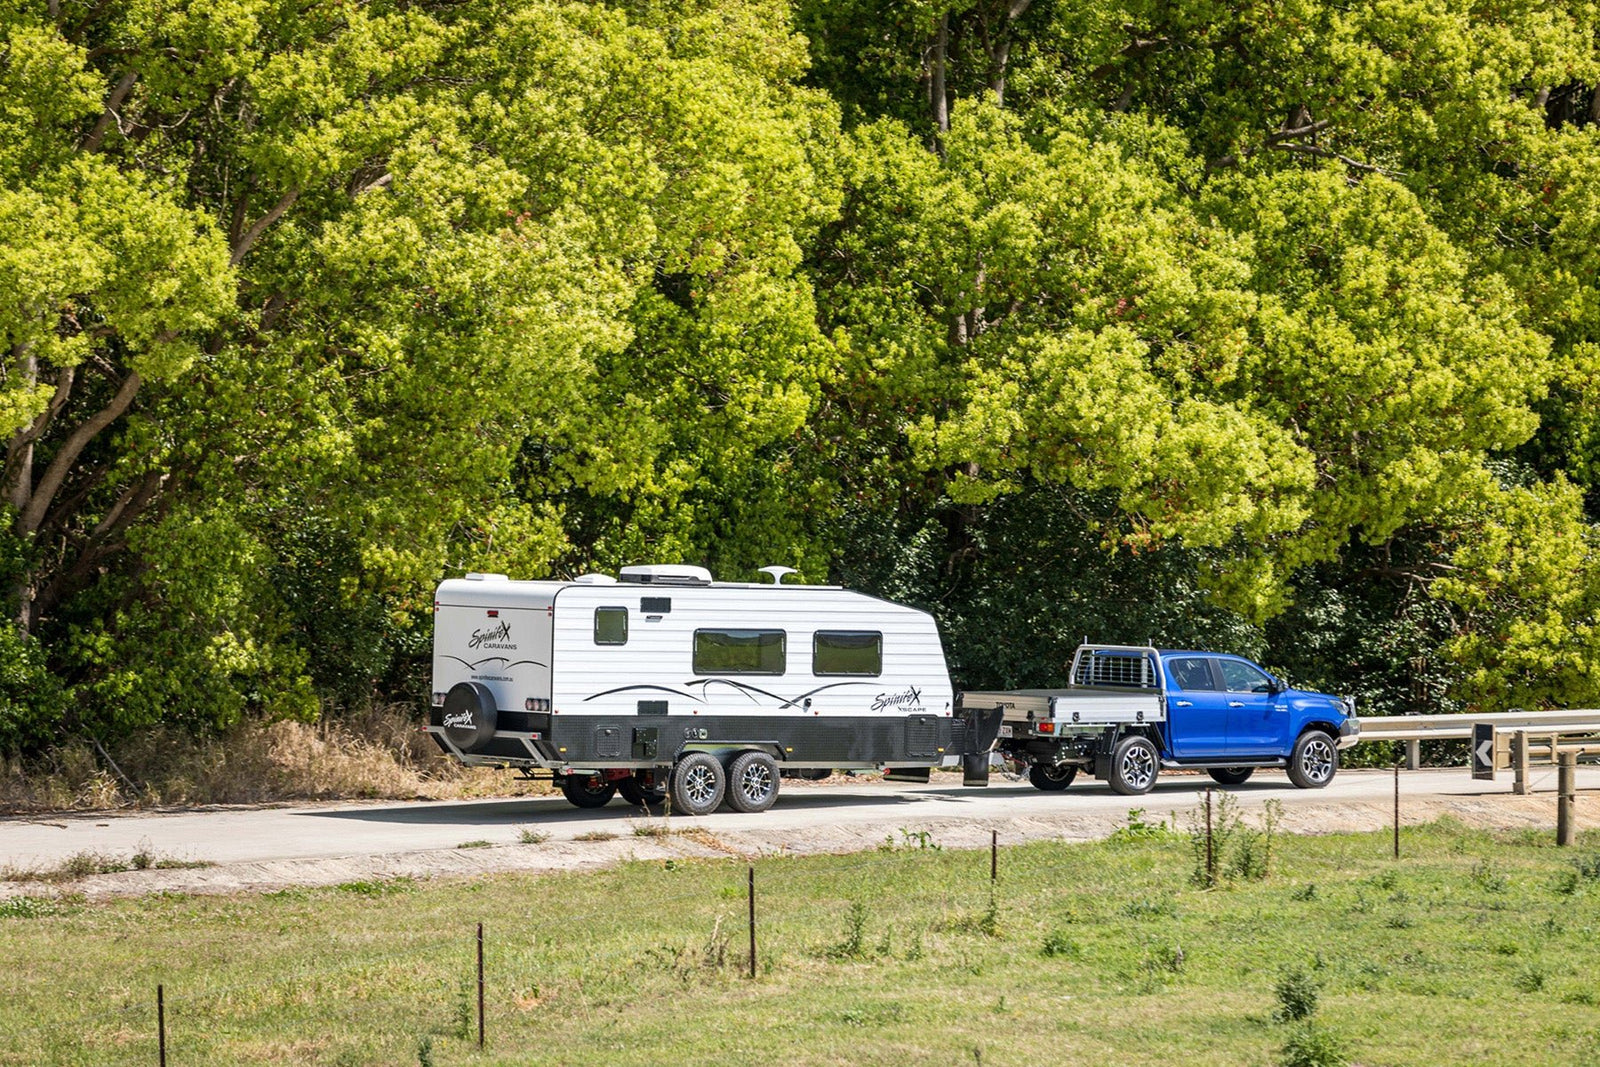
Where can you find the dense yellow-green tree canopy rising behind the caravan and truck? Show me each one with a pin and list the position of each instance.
(1268, 327)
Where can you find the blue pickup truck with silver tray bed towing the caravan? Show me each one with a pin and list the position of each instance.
(1130, 711)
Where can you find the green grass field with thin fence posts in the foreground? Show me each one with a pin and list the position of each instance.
(1471, 949)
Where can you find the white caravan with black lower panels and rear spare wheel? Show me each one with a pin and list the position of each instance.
(666, 682)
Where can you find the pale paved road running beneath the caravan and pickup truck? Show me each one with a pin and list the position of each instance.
(828, 817)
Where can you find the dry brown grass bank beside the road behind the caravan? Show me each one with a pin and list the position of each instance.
(378, 756)
